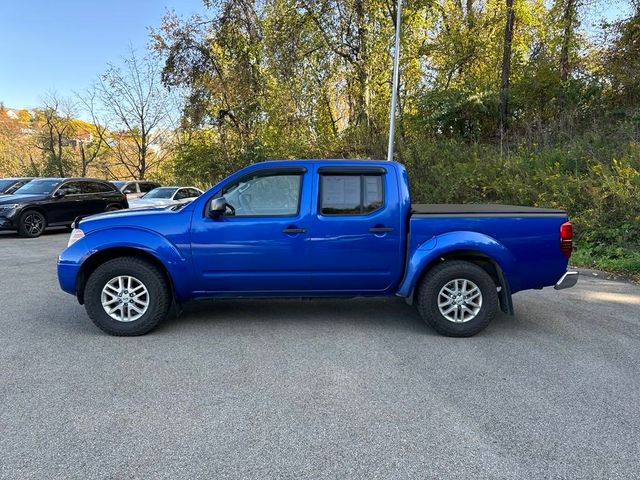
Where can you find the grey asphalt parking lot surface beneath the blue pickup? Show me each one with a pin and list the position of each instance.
(315, 389)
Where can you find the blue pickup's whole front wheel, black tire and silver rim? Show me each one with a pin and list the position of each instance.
(127, 296)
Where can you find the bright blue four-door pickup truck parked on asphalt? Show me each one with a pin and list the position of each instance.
(315, 228)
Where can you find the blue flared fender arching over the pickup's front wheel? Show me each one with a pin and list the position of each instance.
(137, 238)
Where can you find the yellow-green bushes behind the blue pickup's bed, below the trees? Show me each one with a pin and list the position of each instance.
(597, 182)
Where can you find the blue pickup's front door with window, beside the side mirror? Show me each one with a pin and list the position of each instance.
(260, 244)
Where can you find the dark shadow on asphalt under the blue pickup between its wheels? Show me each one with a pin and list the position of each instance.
(361, 313)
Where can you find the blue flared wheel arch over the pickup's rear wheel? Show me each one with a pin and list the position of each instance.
(441, 245)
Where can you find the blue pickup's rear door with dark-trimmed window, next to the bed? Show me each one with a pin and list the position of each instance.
(356, 230)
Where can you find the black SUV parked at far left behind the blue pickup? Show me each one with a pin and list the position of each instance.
(56, 202)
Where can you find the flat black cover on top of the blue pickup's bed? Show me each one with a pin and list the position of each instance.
(475, 209)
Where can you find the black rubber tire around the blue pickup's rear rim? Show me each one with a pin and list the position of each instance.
(429, 293)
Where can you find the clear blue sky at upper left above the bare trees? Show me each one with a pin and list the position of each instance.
(63, 45)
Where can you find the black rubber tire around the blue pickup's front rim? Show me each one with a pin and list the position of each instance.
(159, 296)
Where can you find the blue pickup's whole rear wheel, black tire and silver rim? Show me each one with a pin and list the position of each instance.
(457, 299)
